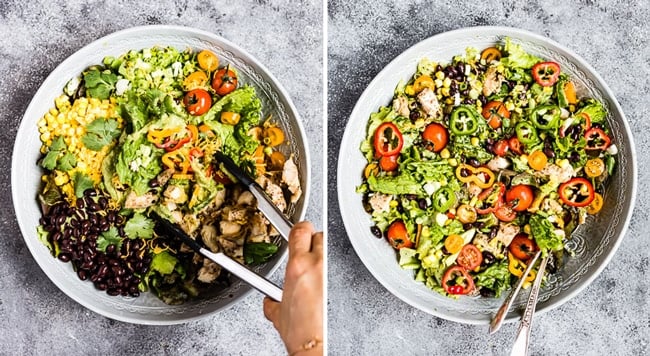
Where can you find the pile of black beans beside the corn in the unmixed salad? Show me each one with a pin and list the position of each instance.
(74, 231)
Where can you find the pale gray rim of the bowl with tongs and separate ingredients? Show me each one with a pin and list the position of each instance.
(29, 236)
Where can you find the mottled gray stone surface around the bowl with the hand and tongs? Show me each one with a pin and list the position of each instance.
(38, 319)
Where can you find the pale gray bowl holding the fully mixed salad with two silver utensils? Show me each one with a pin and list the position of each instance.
(595, 242)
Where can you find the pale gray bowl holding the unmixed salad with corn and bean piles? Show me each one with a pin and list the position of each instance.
(25, 174)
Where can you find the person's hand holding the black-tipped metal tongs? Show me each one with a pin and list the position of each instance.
(299, 316)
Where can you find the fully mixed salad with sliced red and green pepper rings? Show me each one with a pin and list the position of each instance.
(480, 163)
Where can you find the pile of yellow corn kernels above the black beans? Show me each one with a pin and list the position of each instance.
(69, 121)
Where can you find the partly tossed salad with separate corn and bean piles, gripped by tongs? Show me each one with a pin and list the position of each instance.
(138, 134)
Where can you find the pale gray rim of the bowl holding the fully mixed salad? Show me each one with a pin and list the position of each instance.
(411, 52)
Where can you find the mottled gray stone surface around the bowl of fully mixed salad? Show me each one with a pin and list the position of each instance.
(610, 317)
